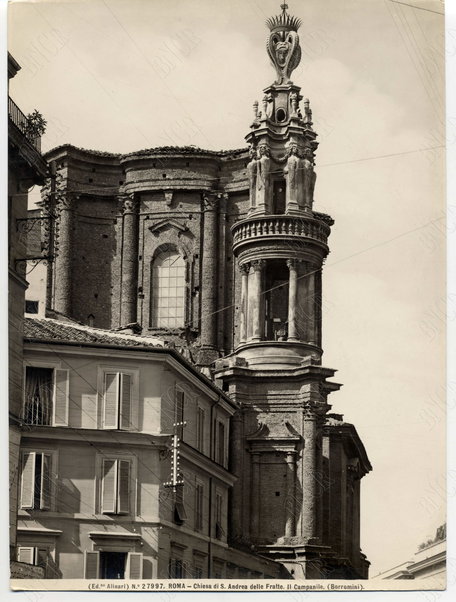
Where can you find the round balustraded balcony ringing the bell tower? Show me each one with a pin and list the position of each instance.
(280, 228)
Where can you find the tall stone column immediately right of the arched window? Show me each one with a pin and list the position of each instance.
(208, 334)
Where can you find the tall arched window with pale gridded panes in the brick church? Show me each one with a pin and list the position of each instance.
(168, 290)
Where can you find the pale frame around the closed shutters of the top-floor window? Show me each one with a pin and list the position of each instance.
(119, 370)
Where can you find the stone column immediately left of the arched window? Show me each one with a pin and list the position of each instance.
(129, 275)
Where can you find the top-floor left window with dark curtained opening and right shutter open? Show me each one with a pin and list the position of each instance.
(46, 396)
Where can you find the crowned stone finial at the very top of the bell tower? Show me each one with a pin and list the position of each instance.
(283, 44)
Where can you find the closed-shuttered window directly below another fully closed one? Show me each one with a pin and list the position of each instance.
(115, 486)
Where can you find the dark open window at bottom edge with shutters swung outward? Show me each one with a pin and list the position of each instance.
(113, 565)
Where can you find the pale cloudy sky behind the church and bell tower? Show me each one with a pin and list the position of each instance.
(124, 75)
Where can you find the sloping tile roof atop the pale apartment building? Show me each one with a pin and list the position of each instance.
(48, 329)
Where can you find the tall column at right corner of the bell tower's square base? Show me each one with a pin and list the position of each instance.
(309, 510)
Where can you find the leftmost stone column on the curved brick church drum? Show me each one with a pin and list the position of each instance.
(63, 280)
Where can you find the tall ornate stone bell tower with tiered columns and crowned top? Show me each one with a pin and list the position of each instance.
(281, 500)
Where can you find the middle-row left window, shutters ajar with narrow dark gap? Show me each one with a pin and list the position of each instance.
(36, 481)
